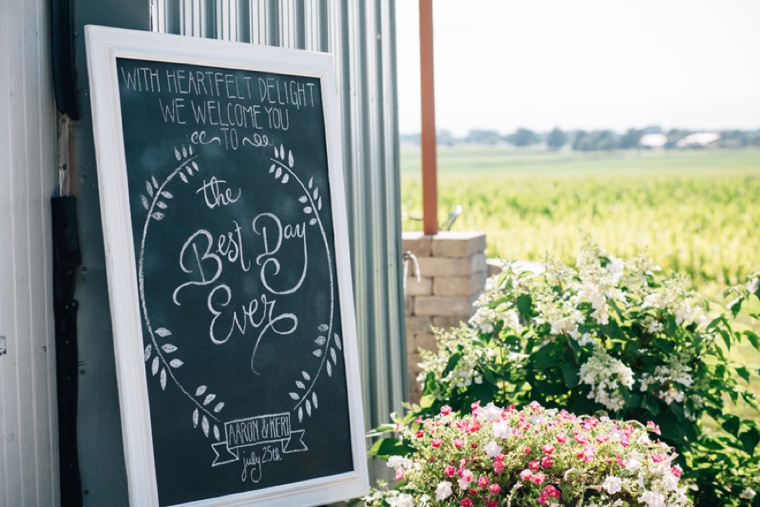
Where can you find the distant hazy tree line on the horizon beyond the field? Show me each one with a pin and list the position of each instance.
(602, 140)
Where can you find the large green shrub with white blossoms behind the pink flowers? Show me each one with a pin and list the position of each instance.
(615, 338)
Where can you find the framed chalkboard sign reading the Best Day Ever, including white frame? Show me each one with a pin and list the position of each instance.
(226, 242)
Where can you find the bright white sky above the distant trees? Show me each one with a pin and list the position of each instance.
(591, 64)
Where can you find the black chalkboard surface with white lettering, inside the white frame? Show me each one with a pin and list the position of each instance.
(230, 205)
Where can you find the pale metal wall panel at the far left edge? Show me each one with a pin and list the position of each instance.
(28, 427)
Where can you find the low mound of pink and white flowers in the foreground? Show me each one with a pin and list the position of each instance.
(531, 457)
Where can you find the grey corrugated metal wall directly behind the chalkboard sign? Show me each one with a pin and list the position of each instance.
(361, 36)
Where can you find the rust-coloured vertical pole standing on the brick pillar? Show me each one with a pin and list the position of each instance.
(428, 143)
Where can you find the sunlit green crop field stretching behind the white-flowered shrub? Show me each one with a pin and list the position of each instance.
(695, 212)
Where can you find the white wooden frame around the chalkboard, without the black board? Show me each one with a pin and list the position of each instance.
(104, 45)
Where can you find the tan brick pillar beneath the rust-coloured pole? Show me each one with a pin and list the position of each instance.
(453, 274)
